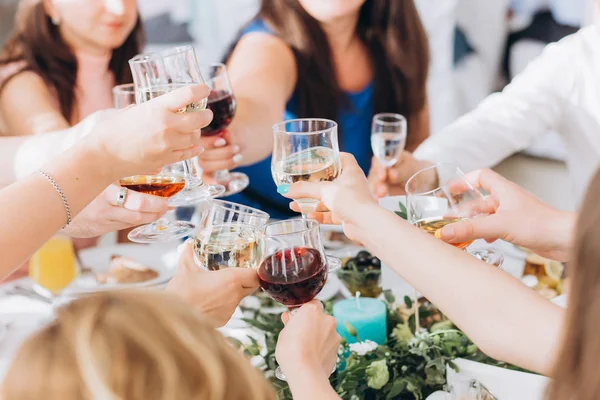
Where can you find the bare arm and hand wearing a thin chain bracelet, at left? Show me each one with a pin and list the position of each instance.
(31, 209)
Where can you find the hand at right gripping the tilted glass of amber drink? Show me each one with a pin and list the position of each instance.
(520, 218)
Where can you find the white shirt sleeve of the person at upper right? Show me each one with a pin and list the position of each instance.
(507, 122)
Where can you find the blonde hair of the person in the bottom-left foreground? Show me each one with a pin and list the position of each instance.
(134, 346)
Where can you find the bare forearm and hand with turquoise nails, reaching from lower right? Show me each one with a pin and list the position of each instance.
(504, 318)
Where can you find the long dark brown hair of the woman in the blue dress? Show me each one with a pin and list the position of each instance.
(395, 38)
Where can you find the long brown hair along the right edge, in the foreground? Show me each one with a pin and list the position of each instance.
(576, 373)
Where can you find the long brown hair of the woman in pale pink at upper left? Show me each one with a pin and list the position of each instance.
(39, 46)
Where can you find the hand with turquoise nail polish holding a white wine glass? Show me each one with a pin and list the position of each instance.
(343, 197)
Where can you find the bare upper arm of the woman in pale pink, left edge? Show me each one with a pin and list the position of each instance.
(27, 106)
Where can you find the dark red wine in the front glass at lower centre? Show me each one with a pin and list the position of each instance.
(293, 276)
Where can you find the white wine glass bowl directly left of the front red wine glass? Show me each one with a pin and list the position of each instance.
(227, 236)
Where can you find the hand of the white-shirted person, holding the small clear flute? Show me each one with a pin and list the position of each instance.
(392, 181)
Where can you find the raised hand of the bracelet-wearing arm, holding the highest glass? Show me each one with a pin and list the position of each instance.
(153, 134)
